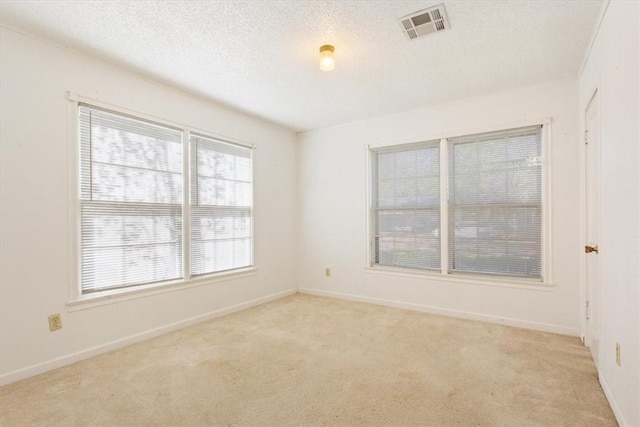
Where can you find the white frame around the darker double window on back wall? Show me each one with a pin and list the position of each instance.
(544, 283)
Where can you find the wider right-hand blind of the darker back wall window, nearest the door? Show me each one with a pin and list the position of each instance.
(495, 203)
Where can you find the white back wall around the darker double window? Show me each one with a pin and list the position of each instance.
(333, 210)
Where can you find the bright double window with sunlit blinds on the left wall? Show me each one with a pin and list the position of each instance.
(133, 213)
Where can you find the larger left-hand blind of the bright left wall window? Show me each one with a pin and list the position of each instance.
(131, 201)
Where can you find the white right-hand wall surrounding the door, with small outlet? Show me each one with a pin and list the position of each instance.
(612, 67)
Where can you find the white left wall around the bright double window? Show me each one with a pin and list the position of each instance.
(35, 271)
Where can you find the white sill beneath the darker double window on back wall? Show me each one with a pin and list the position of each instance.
(526, 284)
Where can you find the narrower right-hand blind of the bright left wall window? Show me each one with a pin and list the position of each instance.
(221, 206)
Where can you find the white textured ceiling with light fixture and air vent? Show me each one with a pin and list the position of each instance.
(262, 56)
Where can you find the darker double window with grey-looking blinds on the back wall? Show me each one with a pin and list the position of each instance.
(492, 210)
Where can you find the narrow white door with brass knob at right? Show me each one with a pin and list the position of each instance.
(592, 140)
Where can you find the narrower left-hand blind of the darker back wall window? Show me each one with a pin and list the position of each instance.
(406, 205)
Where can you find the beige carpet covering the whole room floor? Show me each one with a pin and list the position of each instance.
(306, 360)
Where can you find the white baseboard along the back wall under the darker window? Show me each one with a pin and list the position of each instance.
(544, 327)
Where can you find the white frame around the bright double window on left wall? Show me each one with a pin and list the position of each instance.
(77, 300)
